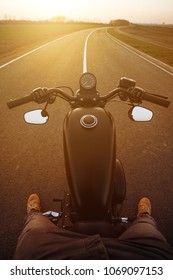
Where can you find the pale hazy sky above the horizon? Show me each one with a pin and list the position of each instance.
(136, 11)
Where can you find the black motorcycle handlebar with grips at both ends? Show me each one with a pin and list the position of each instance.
(135, 95)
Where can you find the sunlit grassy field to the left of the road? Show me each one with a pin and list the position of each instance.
(19, 37)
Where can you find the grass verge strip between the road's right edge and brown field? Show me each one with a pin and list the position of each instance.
(159, 52)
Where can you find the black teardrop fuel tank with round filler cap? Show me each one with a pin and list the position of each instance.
(89, 146)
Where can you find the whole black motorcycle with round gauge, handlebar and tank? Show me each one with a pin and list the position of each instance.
(95, 175)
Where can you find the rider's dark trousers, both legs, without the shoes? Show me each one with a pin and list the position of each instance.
(41, 239)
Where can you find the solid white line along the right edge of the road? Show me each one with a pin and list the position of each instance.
(141, 55)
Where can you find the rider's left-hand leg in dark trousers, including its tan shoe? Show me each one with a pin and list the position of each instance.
(41, 239)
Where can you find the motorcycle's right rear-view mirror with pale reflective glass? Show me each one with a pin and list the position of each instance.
(140, 114)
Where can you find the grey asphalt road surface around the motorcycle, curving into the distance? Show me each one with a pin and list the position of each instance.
(31, 158)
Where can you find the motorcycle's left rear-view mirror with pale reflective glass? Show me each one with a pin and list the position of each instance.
(36, 117)
